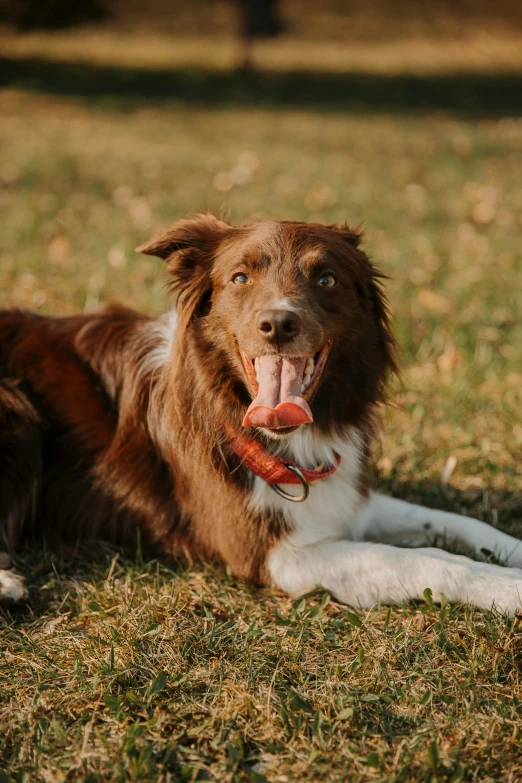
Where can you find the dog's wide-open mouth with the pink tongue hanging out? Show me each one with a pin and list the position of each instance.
(281, 387)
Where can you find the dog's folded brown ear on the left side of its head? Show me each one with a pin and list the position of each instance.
(188, 247)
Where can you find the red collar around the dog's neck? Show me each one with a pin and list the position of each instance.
(273, 469)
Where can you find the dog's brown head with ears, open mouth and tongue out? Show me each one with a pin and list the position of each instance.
(293, 313)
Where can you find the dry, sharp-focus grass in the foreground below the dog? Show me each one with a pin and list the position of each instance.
(133, 671)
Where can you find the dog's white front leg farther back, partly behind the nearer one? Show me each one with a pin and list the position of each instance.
(392, 521)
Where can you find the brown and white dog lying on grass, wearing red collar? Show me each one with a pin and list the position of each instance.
(236, 427)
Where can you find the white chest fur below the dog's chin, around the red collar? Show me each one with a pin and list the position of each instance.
(332, 508)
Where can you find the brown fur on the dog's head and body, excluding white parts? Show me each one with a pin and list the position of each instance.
(99, 440)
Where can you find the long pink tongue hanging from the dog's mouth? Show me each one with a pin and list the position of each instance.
(279, 402)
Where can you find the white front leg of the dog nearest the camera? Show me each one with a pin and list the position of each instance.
(364, 574)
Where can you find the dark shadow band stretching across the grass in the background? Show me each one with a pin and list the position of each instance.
(464, 94)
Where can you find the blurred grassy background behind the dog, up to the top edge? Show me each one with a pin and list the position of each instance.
(118, 117)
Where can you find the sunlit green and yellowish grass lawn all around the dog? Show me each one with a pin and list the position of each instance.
(123, 670)
